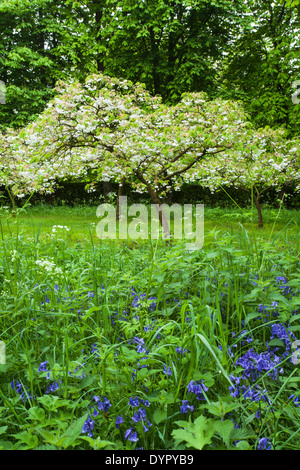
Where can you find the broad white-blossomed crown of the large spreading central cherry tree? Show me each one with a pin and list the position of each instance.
(111, 129)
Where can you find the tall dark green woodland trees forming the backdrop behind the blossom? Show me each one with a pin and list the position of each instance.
(231, 49)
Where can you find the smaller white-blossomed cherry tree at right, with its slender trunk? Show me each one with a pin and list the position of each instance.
(266, 160)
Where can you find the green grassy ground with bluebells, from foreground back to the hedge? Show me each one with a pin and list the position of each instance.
(142, 345)
